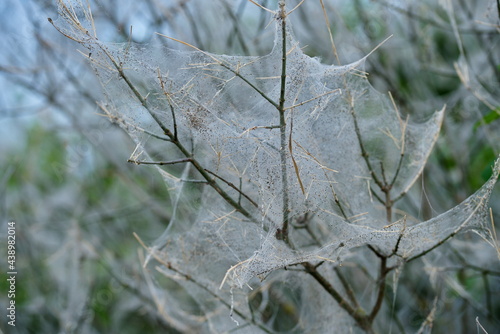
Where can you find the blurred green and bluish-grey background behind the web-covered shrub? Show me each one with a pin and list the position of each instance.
(66, 183)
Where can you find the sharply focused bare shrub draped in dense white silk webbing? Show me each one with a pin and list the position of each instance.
(282, 168)
